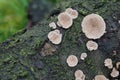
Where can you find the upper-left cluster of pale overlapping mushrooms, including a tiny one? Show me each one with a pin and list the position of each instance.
(65, 20)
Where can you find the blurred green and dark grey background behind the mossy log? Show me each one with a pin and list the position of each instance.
(16, 15)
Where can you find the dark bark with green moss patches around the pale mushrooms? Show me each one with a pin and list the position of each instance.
(20, 56)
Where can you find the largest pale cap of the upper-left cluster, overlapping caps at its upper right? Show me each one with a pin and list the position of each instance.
(65, 20)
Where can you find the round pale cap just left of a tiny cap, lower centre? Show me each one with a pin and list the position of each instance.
(72, 61)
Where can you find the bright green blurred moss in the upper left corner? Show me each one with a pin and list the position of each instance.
(12, 17)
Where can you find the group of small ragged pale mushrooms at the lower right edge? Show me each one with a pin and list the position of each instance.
(108, 63)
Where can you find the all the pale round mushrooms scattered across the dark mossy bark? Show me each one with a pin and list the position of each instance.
(93, 26)
